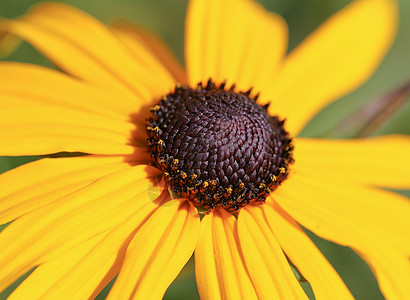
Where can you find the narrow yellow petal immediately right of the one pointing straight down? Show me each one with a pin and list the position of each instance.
(268, 267)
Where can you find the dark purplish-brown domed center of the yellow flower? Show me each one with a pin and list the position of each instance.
(218, 147)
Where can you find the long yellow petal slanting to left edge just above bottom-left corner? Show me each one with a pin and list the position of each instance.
(57, 227)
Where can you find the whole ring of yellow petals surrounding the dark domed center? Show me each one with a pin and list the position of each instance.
(80, 221)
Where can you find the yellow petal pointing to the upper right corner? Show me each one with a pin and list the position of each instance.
(334, 60)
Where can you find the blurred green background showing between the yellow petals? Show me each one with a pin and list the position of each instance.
(166, 17)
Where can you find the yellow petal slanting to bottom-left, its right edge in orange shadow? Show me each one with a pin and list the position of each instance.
(55, 279)
